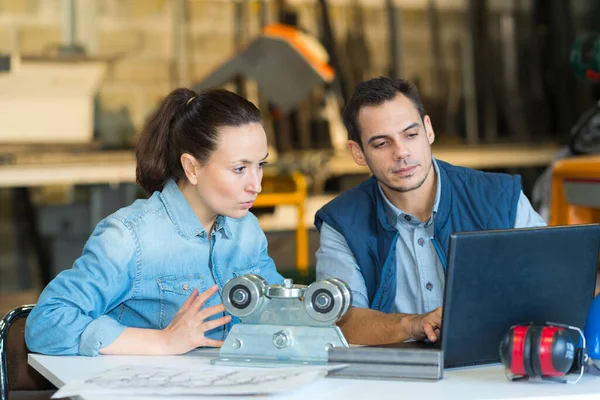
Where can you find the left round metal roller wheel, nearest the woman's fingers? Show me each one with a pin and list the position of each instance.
(243, 295)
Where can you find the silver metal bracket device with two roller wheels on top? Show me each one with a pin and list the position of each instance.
(283, 323)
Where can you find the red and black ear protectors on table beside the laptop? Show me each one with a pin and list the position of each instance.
(545, 351)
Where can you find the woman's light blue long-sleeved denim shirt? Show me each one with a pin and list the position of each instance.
(138, 268)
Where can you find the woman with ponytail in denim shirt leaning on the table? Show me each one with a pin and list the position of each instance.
(148, 278)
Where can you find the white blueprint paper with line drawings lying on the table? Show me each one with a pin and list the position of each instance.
(135, 380)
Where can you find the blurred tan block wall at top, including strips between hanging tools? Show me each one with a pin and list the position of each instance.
(150, 53)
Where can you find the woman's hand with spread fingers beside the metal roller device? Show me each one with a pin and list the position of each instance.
(186, 330)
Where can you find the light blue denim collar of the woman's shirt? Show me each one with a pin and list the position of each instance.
(183, 217)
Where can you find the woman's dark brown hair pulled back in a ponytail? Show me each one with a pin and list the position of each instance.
(186, 122)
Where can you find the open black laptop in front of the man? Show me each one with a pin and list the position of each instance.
(497, 279)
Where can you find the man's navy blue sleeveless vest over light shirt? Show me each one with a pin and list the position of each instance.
(470, 201)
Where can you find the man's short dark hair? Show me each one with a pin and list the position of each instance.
(375, 92)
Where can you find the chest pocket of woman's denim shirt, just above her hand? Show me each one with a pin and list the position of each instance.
(174, 291)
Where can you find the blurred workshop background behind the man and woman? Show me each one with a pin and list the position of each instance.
(510, 85)
